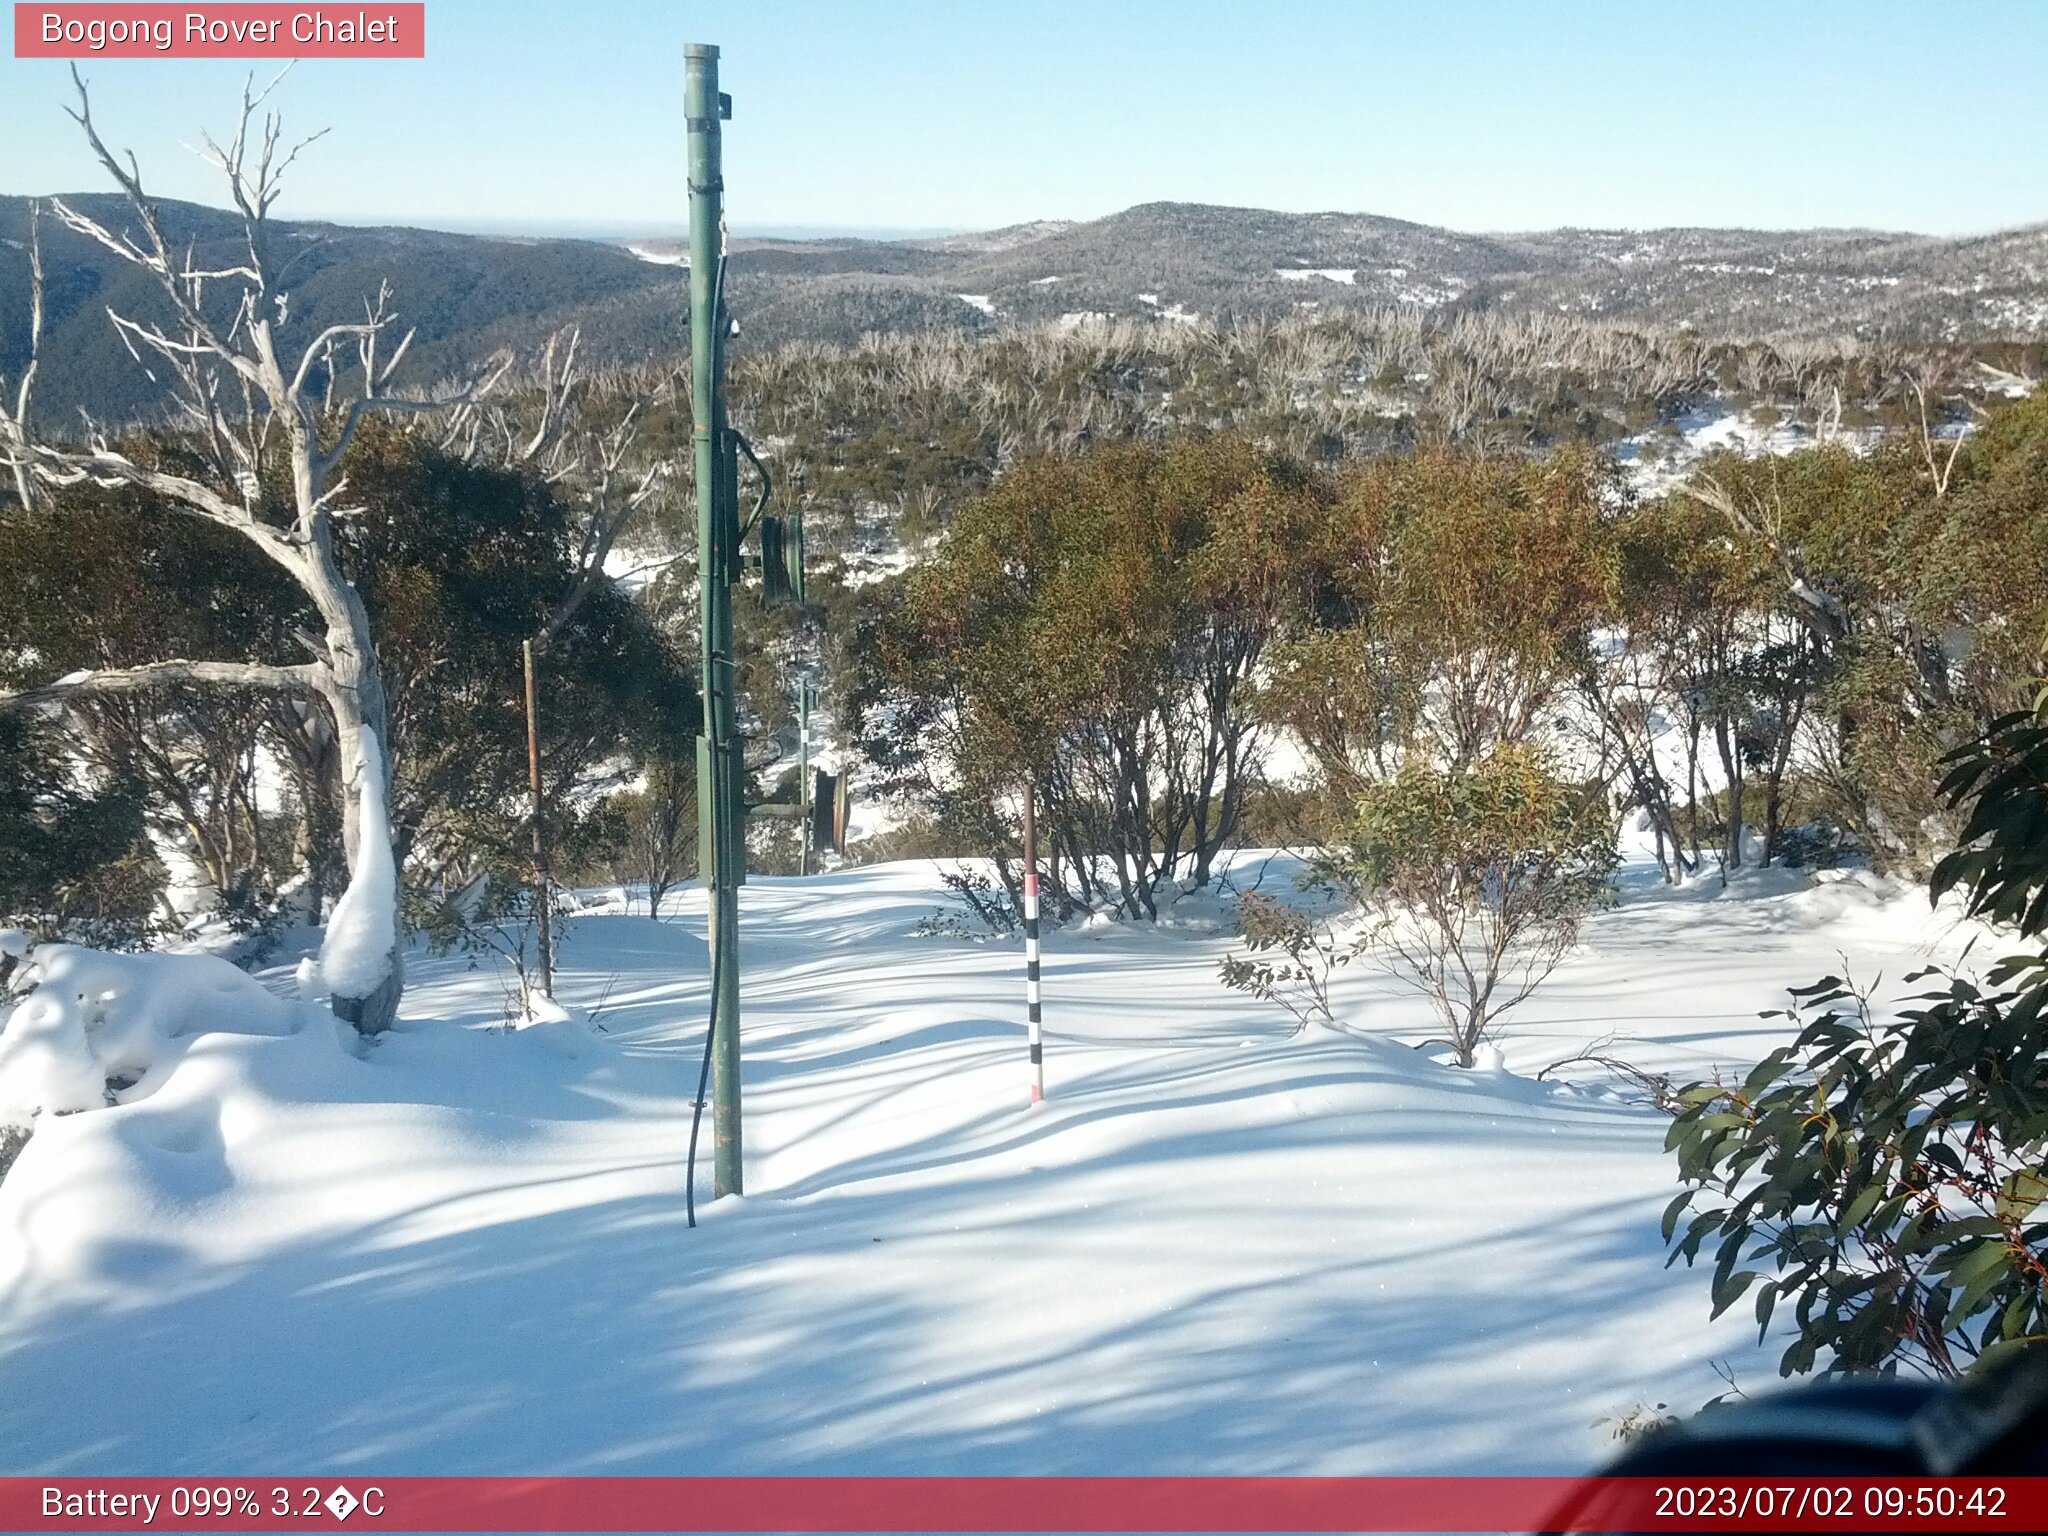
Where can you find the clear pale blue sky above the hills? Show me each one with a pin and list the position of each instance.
(974, 114)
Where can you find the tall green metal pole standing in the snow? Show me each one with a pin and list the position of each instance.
(722, 851)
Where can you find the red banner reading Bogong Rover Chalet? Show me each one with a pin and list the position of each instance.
(220, 32)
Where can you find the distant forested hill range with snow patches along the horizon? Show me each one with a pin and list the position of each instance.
(472, 294)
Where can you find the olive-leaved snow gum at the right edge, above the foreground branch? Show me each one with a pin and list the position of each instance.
(1871, 613)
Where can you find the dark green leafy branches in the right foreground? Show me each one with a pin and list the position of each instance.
(1889, 1177)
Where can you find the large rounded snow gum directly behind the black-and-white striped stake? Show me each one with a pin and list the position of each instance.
(1097, 628)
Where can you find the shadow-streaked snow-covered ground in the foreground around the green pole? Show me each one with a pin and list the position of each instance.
(1218, 1250)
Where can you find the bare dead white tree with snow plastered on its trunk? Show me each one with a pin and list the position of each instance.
(259, 423)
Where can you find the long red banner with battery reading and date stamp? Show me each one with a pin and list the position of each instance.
(1019, 1504)
